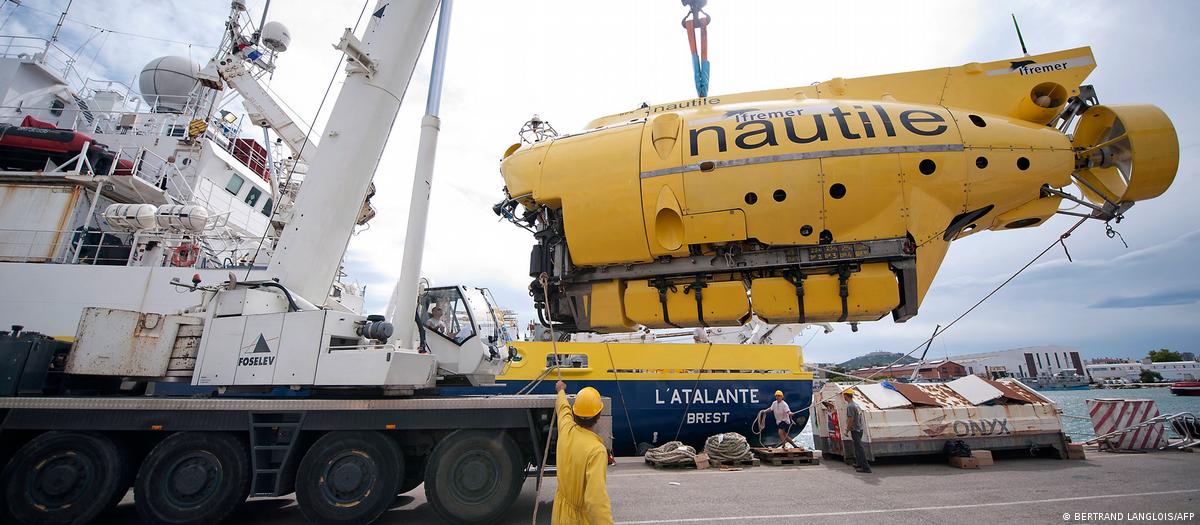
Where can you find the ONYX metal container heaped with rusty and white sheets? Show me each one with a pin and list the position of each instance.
(921, 419)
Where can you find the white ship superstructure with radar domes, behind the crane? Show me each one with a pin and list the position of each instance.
(110, 191)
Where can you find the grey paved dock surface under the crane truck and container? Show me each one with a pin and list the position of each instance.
(1012, 491)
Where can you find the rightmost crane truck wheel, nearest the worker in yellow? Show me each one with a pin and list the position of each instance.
(475, 476)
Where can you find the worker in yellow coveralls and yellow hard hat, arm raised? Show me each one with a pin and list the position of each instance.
(583, 496)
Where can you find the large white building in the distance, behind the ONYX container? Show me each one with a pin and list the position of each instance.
(1023, 363)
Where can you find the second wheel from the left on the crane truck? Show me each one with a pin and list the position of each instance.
(193, 478)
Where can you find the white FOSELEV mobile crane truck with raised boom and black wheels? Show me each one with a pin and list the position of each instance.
(304, 400)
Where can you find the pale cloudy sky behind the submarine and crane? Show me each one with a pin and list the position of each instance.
(572, 62)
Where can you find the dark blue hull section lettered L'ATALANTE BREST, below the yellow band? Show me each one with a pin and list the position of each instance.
(657, 412)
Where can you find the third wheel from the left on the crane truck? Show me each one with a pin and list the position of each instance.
(350, 478)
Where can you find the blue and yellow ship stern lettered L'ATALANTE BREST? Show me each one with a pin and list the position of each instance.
(665, 393)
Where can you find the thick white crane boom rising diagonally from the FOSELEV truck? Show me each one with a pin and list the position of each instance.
(379, 71)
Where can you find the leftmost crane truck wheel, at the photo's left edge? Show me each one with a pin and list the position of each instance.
(64, 478)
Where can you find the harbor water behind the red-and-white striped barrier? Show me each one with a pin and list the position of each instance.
(1075, 403)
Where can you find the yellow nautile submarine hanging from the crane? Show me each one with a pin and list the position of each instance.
(835, 202)
